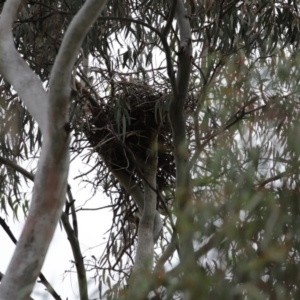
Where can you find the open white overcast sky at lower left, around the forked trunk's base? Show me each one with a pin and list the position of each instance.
(92, 227)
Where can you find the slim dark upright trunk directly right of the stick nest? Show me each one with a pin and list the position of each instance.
(176, 116)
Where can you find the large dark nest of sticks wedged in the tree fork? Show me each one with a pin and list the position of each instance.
(121, 129)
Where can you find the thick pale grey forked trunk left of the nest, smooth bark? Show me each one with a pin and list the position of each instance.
(51, 112)
